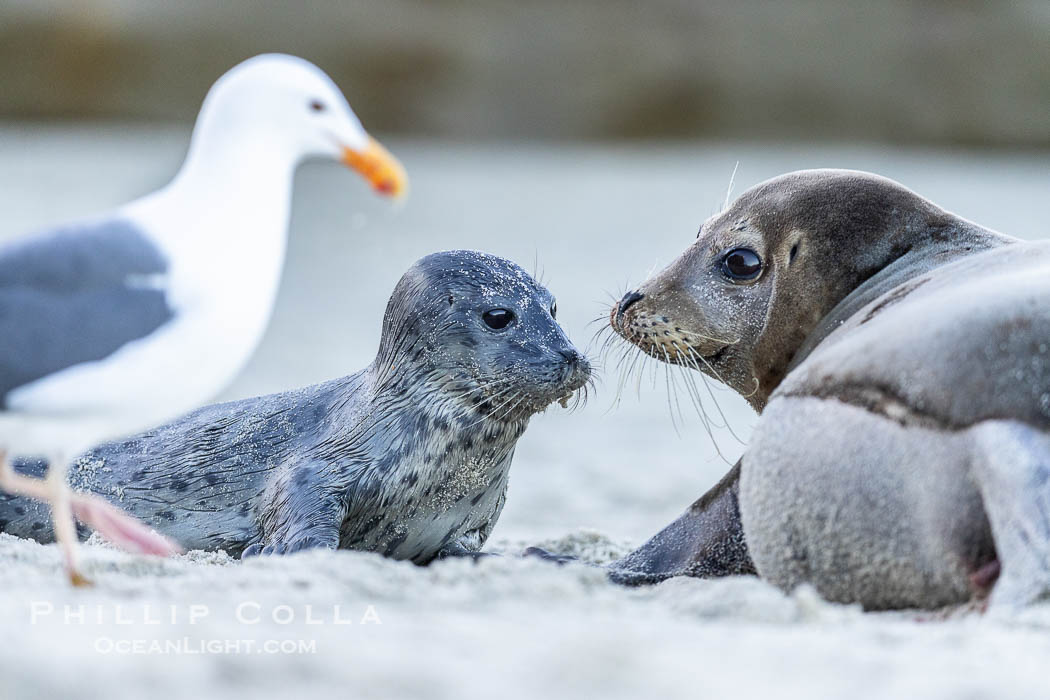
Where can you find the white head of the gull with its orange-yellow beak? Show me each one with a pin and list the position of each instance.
(289, 107)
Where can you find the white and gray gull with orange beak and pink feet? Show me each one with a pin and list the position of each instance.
(117, 324)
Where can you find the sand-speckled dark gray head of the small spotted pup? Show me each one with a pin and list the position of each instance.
(479, 328)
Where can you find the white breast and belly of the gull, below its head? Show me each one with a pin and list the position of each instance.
(225, 258)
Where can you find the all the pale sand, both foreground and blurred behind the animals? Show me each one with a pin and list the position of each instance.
(594, 483)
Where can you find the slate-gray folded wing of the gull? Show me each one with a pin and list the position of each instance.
(77, 295)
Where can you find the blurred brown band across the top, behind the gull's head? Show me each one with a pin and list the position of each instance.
(934, 72)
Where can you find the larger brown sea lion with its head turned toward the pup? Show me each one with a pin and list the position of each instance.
(900, 359)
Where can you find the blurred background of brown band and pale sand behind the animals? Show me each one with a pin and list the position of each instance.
(586, 140)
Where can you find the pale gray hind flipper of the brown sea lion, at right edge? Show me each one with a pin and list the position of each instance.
(1013, 473)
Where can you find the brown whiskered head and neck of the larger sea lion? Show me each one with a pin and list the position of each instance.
(741, 303)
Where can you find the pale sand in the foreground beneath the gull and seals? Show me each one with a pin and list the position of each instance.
(503, 628)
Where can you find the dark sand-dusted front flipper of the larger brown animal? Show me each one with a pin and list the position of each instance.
(707, 542)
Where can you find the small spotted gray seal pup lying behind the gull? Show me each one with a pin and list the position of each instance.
(408, 458)
